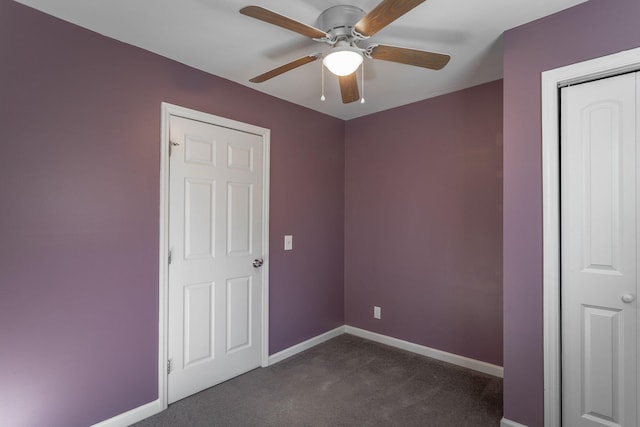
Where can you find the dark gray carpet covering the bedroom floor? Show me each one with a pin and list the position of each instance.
(347, 381)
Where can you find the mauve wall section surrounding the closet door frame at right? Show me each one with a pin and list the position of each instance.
(590, 30)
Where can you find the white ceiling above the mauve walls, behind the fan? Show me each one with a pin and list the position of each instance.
(212, 36)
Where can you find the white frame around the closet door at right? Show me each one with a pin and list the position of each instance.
(552, 80)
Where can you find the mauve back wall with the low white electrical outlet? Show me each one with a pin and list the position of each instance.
(423, 234)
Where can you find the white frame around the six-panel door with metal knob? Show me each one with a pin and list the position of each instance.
(174, 110)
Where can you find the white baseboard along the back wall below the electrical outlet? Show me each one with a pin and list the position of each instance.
(476, 365)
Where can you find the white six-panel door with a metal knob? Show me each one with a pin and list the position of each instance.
(215, 234)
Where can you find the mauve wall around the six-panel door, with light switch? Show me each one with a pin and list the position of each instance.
(80, 127)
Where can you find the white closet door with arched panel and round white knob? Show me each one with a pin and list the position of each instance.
(599, 214)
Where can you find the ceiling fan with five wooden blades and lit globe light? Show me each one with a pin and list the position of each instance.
(343, 27)
